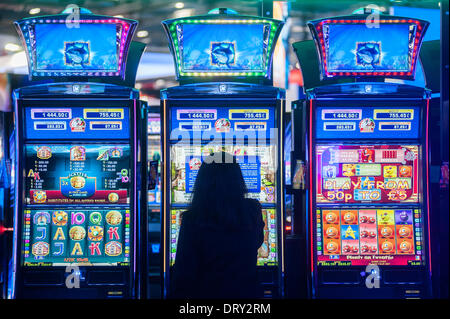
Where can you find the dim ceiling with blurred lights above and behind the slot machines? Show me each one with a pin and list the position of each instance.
(150, 13)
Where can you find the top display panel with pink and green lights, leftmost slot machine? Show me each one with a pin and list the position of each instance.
(91, 46)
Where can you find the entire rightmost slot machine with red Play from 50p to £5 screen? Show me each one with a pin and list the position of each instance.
(367, 154)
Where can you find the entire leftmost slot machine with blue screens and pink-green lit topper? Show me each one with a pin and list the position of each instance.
(78, 201)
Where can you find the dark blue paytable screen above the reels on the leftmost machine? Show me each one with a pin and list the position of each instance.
(77, 174)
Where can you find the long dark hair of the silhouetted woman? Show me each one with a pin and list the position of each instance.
(219, 193)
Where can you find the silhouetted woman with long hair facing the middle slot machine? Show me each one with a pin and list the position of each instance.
(219, 236)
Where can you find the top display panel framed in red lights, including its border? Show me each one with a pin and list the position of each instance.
(363, 46)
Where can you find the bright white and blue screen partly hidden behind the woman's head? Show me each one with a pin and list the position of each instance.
(258, 166)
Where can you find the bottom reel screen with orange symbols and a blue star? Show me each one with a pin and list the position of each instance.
(382, 236)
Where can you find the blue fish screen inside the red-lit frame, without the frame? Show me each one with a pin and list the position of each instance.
(367, 49)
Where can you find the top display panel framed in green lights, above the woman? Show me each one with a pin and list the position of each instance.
(219, 46)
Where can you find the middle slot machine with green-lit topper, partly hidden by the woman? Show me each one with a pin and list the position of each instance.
(225, 103)
